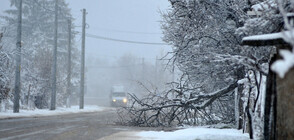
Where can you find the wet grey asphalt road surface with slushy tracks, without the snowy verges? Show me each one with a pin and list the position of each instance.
(88, 126)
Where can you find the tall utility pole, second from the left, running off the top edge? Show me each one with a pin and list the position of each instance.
(53, 84)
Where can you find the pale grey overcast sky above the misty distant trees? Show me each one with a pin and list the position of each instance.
(134, 20)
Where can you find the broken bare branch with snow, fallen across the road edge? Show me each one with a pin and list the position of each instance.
(156, 110)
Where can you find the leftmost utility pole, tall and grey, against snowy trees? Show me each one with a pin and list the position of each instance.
(18, 60)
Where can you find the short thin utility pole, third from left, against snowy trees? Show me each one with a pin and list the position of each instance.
(69, 66)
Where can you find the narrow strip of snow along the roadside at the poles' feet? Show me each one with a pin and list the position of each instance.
(47, 112)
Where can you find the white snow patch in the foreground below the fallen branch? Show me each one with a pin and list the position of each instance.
(198, 133)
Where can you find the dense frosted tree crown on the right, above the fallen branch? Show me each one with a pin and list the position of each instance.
(206, 48)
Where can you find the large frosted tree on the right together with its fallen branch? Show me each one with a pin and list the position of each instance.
(206, 38)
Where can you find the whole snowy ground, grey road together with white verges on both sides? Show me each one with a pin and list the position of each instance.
(96, 123)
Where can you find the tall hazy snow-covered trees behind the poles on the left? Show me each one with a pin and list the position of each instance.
(37, 35)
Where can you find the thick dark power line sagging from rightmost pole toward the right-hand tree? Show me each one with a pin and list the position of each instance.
(124, 41)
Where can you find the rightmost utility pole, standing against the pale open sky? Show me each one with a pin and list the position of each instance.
(83, 62)
